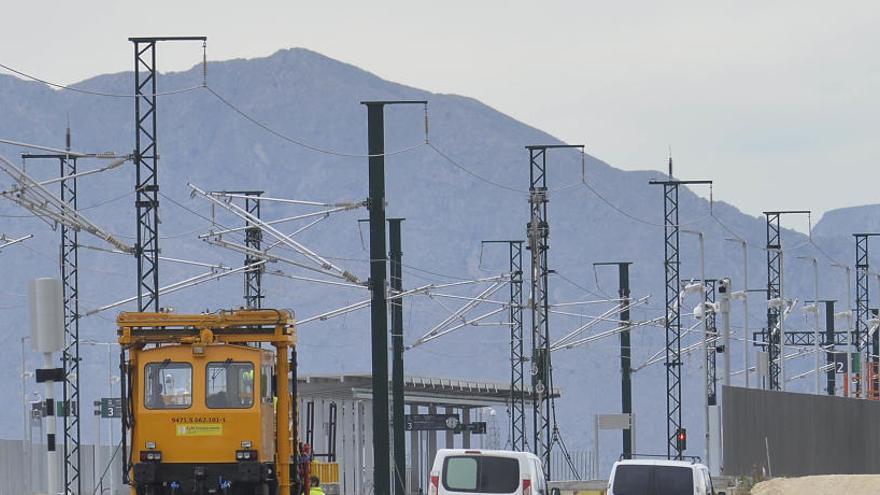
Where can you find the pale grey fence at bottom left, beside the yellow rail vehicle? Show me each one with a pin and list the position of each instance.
(23, 469)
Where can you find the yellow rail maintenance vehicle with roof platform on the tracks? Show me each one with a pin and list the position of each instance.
(206, 409)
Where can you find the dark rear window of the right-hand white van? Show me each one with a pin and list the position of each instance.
(634, 479)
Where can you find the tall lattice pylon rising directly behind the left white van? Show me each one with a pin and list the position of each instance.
(537, 235)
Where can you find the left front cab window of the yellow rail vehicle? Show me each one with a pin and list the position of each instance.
(168, 385)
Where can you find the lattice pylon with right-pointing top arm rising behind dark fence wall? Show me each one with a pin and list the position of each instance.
(774, 291)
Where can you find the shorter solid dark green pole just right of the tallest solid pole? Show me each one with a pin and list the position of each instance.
(397, 407)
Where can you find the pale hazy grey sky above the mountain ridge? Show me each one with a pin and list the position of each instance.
(776, 101)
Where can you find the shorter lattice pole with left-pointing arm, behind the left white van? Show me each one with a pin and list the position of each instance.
(517, 359)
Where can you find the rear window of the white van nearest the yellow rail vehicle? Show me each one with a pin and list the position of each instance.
(482, 474)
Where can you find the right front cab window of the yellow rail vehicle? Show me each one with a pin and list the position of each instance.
(230, 385)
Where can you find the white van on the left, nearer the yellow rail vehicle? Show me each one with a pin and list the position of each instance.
(473, 472)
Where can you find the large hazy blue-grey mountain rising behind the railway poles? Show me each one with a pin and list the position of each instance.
(449, 210)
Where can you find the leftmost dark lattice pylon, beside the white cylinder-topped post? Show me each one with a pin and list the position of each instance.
(70, 356)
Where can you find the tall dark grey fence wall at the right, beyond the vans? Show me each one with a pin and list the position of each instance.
(789, 434)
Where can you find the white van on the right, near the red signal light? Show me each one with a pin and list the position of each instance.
(660, 477)
